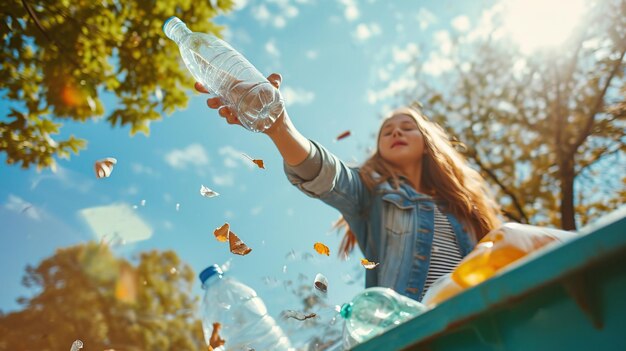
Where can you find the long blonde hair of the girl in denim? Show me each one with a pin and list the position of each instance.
(446, 175)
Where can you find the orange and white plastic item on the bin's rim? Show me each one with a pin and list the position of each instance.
(501, 247)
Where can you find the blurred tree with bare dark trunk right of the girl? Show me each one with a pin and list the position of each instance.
(547, 131)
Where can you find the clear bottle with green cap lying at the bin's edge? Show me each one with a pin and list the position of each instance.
(374, 311)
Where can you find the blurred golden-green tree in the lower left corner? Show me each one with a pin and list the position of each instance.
(86, 293)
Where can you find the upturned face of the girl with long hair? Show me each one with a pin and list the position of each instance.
(400, 142)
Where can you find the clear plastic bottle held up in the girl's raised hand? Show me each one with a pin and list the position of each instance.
(225, 72)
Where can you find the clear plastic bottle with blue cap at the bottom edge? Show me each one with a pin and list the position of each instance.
(242, 315)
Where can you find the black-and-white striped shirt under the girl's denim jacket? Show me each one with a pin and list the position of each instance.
(445, 254)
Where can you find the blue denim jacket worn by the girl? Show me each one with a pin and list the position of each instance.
(392, 226)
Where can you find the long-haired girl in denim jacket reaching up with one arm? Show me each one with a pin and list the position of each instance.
(415, 206)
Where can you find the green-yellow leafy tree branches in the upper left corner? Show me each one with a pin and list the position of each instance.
(60, 57)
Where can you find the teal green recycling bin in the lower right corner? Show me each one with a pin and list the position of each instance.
(570, 297)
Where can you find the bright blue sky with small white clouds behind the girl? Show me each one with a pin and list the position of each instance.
(344, 63)
